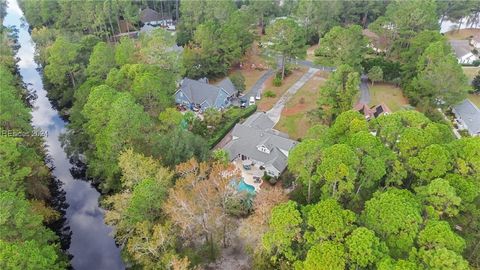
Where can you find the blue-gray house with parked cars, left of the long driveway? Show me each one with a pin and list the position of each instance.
(198, 95)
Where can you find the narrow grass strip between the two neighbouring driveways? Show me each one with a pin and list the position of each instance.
(266, 103)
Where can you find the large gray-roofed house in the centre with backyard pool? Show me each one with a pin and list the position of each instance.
(257, 141)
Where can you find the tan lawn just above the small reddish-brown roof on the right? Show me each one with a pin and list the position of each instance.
(389, 94)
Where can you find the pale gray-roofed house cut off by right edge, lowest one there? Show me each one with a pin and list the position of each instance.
(468, 117)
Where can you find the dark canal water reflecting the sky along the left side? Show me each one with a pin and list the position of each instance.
(91, 245)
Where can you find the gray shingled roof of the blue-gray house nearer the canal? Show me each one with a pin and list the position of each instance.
(199, 92)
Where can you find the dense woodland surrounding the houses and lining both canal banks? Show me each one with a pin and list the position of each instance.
(396, 192)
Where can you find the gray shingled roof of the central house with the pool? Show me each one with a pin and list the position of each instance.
(247, 138)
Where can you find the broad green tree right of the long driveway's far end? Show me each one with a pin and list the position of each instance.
(342, 46)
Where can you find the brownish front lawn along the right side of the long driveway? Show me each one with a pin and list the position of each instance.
(294, 120)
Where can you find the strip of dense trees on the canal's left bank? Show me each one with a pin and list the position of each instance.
(29, 206)
